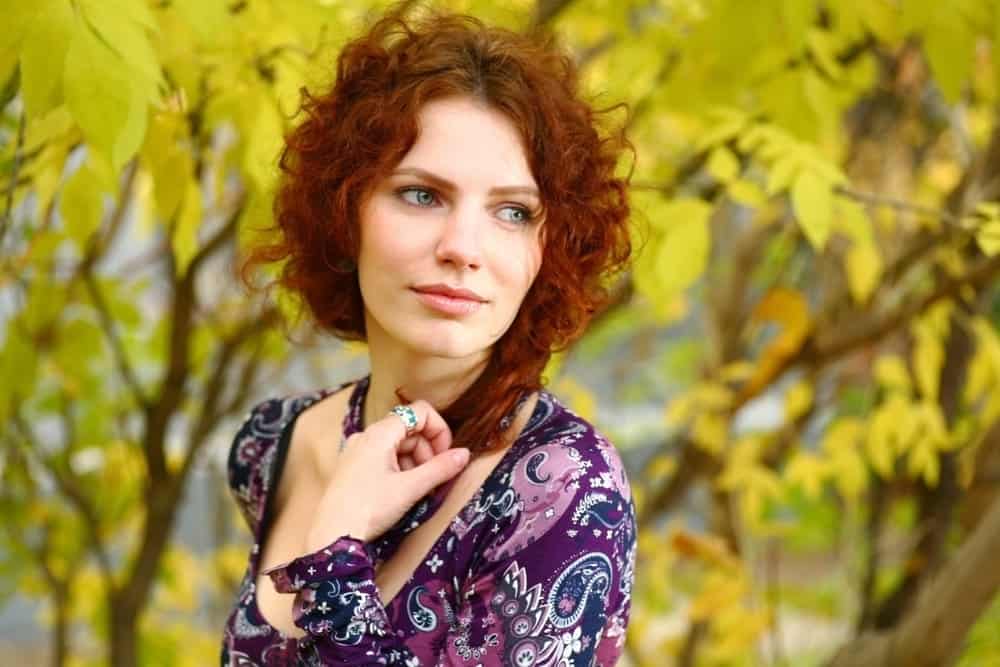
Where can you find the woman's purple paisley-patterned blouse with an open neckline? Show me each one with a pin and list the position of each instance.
(536, 569)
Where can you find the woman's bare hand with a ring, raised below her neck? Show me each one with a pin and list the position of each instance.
(381, 473)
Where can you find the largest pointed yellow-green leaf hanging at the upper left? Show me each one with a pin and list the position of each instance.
(108, 106)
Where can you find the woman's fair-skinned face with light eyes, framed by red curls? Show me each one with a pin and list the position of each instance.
(459, 212)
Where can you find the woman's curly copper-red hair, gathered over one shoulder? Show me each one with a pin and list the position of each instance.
(354, 135)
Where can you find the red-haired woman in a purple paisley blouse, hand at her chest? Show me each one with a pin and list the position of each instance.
(450, 202)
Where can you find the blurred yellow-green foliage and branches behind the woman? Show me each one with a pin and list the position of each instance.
(801, 368)
